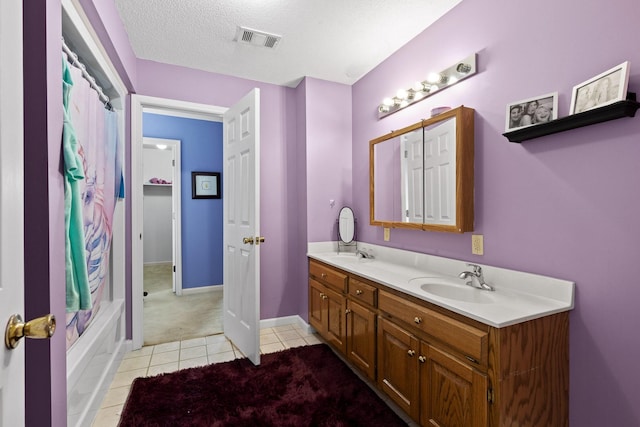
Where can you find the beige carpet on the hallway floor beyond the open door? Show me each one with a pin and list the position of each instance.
(169, 318)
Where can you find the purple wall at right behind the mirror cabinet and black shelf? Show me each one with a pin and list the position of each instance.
(564, 205)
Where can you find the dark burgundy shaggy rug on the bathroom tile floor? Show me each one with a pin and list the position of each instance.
(303, 386)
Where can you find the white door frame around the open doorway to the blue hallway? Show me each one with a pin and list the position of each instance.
(147, 104)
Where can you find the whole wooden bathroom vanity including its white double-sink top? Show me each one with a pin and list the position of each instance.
(446, 353)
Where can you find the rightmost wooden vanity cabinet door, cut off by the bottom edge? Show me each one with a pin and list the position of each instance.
(452, 392)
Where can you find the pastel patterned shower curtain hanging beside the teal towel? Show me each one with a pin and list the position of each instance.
(99, 155)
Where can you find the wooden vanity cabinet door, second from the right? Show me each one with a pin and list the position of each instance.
(398, 366)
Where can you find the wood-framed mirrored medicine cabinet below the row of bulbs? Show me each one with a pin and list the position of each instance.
(422, 176)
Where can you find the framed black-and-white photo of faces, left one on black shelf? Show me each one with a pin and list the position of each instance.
(532, 111)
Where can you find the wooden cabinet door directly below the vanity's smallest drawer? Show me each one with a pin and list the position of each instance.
(361, 338)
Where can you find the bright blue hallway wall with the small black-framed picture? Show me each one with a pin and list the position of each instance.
(201, 218)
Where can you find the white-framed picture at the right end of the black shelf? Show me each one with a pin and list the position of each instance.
(603, 89)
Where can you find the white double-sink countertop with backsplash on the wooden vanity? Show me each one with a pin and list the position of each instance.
(518, 296)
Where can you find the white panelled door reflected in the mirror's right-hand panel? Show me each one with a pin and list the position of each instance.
(440, 173)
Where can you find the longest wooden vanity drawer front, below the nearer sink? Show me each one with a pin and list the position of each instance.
(468, 340)
